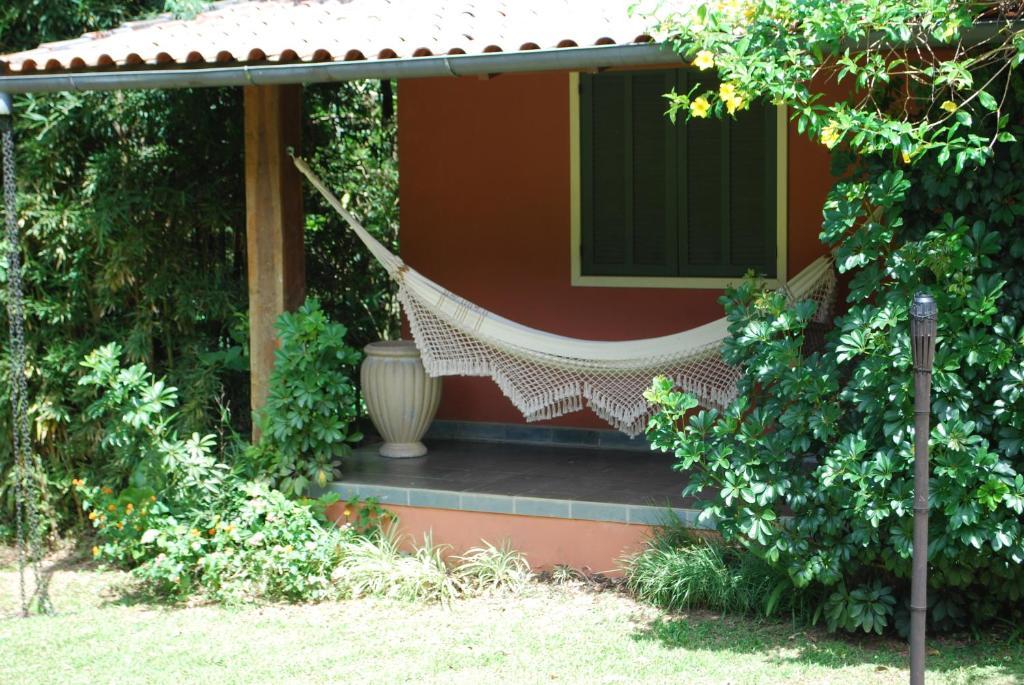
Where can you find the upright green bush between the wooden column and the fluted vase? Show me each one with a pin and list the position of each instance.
(307, 425)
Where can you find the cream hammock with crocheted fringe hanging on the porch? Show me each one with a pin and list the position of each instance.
(547, 375)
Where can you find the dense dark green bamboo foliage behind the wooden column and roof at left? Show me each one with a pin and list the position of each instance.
(134, 219)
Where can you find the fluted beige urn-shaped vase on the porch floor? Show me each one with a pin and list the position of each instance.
(401, 398)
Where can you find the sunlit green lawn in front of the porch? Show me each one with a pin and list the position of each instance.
(552, 634)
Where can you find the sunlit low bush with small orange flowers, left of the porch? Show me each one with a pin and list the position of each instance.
(181, 520)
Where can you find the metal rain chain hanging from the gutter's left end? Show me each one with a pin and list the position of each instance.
(29, 489)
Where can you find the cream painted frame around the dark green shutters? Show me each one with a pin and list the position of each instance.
(576, 264)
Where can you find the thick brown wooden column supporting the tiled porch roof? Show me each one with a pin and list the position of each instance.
(274, 222)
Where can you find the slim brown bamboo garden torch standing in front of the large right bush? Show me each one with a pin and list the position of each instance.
(923, 329)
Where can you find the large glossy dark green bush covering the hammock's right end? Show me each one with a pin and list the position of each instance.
(812, 466)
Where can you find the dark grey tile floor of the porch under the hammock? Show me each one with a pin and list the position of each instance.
(528, 470)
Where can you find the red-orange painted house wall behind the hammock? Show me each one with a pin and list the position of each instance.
(485, 195)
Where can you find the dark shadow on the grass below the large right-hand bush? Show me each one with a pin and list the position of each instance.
(785, 644)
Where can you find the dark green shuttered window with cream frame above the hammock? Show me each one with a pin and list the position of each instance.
(690, 205)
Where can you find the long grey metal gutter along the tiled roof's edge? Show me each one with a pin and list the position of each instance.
(406, 68)
